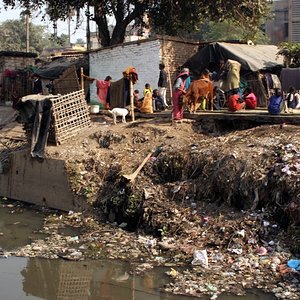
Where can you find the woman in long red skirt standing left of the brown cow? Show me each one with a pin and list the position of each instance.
(180, 87)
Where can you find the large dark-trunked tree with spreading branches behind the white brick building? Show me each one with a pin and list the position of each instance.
(171, 17)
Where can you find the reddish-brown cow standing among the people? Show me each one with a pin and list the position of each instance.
(198, 91)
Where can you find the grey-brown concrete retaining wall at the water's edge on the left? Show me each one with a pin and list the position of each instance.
(42, 183)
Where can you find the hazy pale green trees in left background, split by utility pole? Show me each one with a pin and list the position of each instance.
(13, 37)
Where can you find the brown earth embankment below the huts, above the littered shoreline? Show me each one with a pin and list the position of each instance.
(247, 170)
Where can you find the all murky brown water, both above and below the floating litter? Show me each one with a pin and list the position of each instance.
(35, 278)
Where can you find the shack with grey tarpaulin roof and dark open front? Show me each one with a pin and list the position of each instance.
(260, 64)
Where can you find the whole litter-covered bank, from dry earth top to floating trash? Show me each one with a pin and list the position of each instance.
(222, 212)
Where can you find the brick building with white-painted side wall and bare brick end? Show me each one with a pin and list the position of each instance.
(145, 55)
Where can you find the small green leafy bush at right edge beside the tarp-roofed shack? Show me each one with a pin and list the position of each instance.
(291, 54)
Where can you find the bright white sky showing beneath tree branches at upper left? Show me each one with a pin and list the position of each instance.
(61, 28)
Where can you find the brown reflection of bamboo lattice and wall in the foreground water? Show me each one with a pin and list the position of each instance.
(63, 280)
